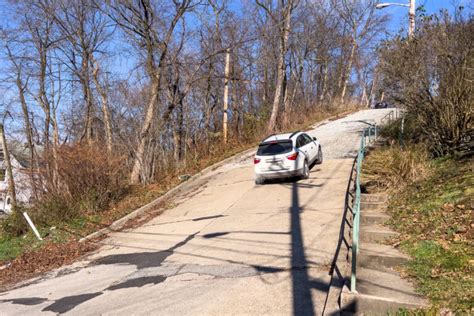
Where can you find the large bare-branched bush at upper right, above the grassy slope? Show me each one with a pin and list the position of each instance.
(431, 76)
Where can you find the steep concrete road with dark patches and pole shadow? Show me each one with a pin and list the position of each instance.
(228, 247)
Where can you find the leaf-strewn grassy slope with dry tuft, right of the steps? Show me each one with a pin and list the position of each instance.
(432, 208)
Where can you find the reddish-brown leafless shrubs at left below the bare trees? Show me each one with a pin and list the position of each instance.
(79, 179)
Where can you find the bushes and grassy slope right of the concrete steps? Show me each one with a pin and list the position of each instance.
(427, 168)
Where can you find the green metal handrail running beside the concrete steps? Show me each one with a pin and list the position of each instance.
(369, 135)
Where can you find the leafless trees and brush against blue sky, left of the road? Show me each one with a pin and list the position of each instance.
(108, 93)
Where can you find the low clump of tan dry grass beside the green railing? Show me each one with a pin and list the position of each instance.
(388, 168)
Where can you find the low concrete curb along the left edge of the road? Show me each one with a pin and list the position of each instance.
(115, 226)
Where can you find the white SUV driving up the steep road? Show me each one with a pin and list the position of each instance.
(286, 155)
